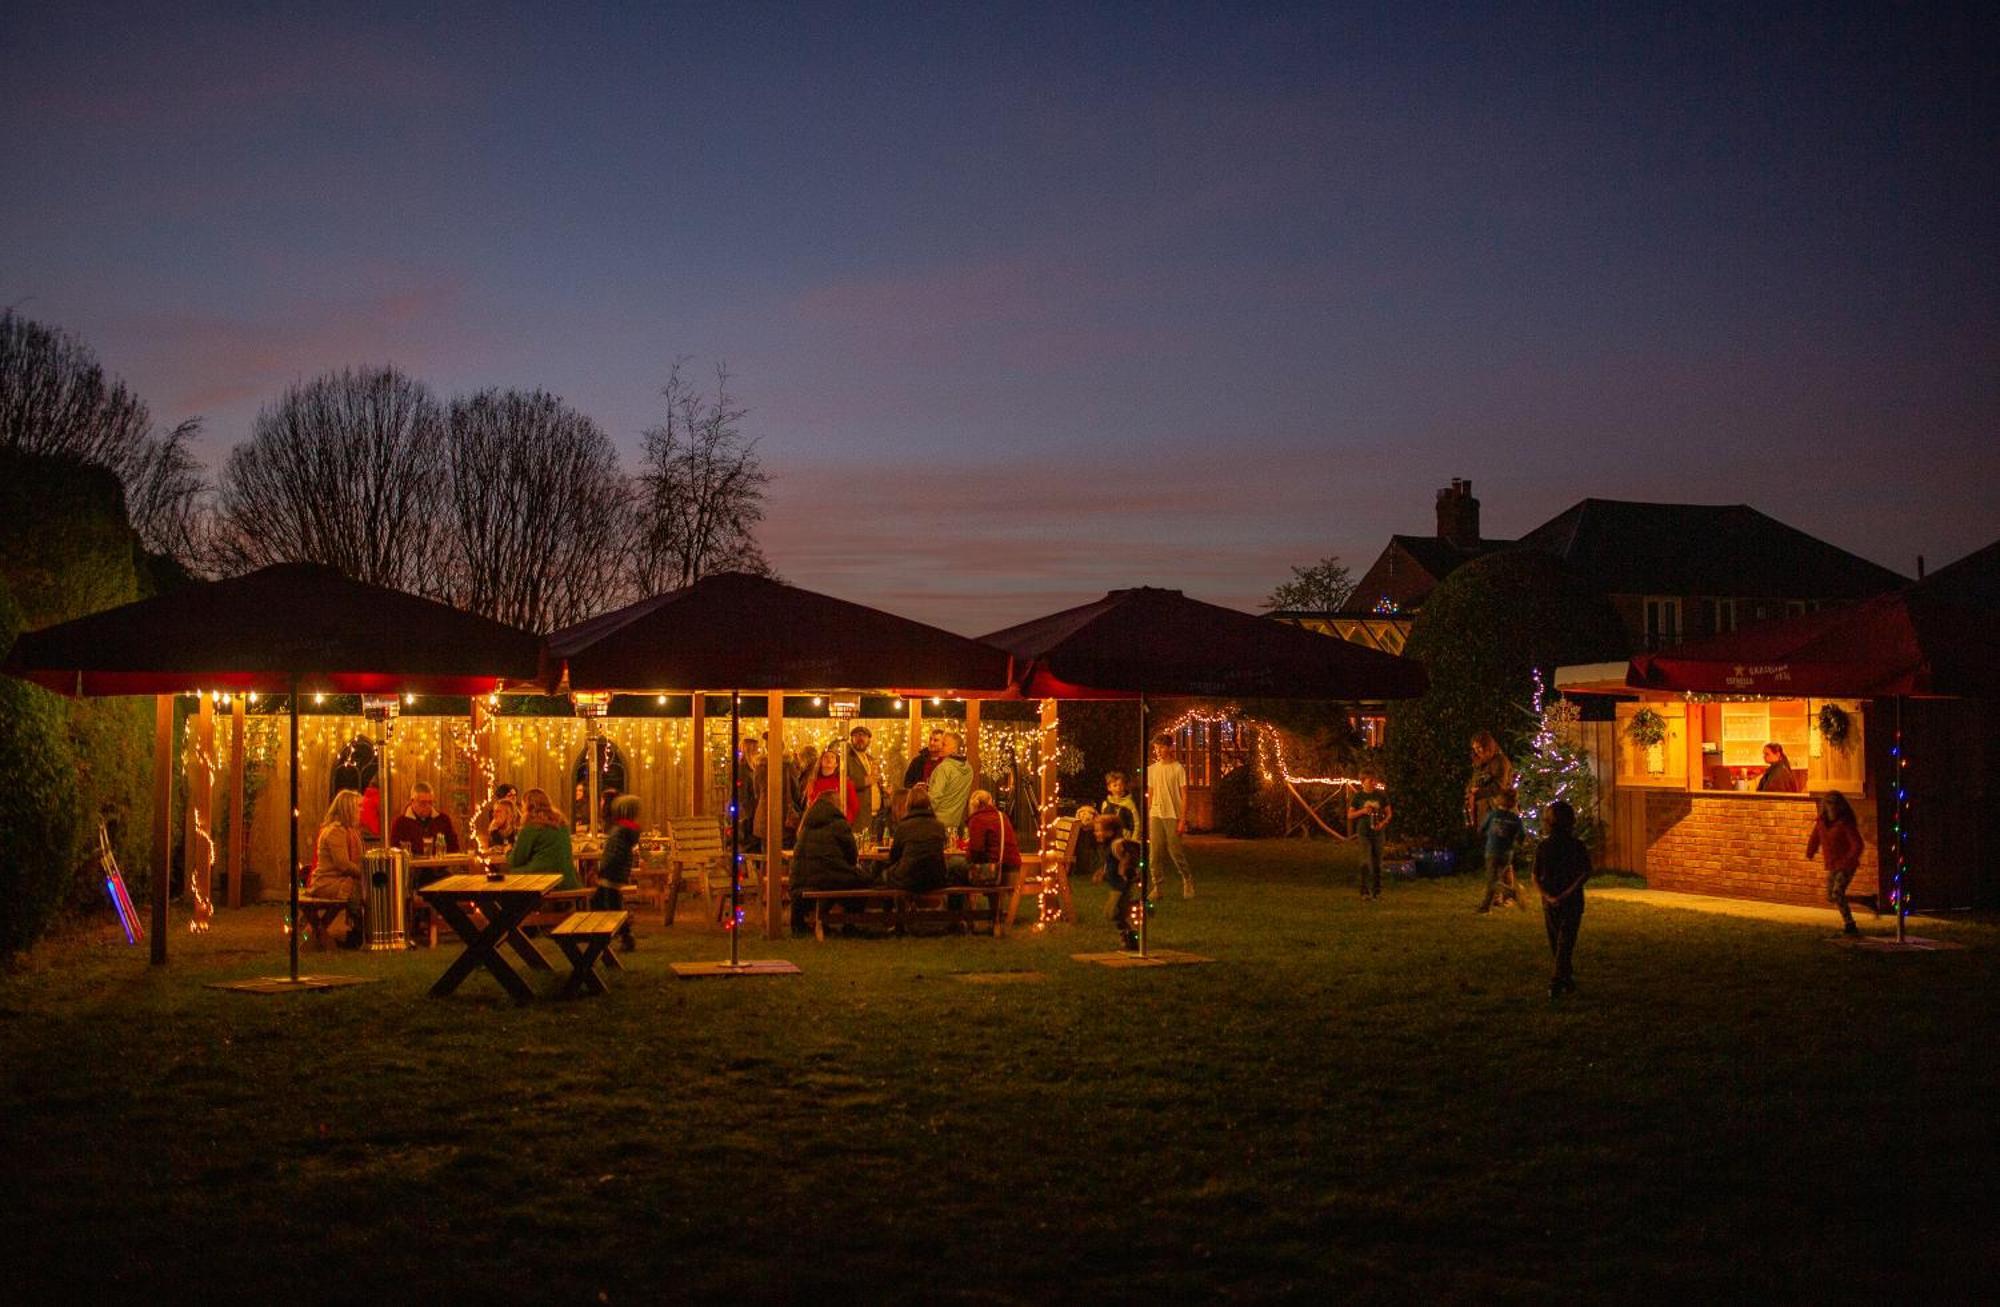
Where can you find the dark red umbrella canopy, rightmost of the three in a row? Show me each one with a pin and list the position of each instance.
(1161, 643)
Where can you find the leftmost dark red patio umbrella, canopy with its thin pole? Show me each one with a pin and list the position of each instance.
(287, 629)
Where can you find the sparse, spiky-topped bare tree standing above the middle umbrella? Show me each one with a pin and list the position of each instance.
(701, 491)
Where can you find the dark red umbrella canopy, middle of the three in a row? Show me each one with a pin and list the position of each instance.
(747, 633)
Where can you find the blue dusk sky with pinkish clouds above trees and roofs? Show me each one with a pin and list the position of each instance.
(1033, 303)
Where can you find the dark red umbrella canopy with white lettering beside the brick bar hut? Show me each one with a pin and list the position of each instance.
(1913, 643)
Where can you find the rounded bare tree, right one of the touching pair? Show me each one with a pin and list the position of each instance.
(539, 511)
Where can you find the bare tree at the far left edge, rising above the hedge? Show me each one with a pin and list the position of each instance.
(55, 399)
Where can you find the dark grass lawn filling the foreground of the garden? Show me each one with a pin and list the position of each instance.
(1357, 1100)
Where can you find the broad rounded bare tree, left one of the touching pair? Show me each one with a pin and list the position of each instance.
(343, 471)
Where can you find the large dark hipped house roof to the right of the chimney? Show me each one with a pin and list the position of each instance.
(1703, 549)
